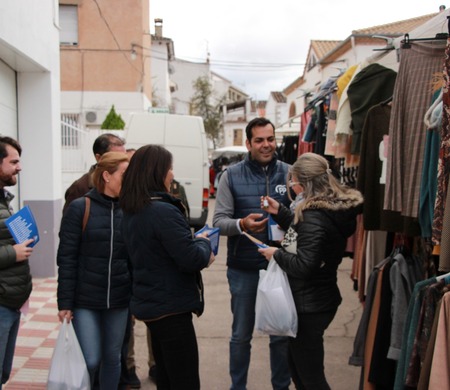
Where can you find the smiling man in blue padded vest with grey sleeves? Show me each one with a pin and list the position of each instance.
(238, 210)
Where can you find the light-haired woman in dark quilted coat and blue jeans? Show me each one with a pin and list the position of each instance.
(94, 282)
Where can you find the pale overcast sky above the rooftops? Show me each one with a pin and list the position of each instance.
(261, 46)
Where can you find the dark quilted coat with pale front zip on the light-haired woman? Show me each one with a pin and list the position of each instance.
(93, 265)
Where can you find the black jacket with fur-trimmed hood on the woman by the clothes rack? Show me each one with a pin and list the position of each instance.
(320, 239)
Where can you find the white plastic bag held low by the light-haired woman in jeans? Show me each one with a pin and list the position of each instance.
(68, 369)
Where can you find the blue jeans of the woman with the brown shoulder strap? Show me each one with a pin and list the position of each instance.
(101, 334)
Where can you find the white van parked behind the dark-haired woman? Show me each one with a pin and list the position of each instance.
(184, 136)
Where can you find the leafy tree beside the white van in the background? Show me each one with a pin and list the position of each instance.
(202, 105)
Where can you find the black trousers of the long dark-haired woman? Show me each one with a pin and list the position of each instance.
(175, 350)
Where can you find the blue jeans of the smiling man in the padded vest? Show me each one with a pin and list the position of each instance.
(243, 285)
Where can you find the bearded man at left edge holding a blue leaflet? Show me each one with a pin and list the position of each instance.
(15, 276)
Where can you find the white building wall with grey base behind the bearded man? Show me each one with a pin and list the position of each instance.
(29, 45)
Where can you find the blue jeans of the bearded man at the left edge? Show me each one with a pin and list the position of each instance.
(9, 328)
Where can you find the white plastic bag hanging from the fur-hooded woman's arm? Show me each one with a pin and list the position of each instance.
(275, 308)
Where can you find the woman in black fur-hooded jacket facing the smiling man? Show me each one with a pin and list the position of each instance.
(312, 249)
